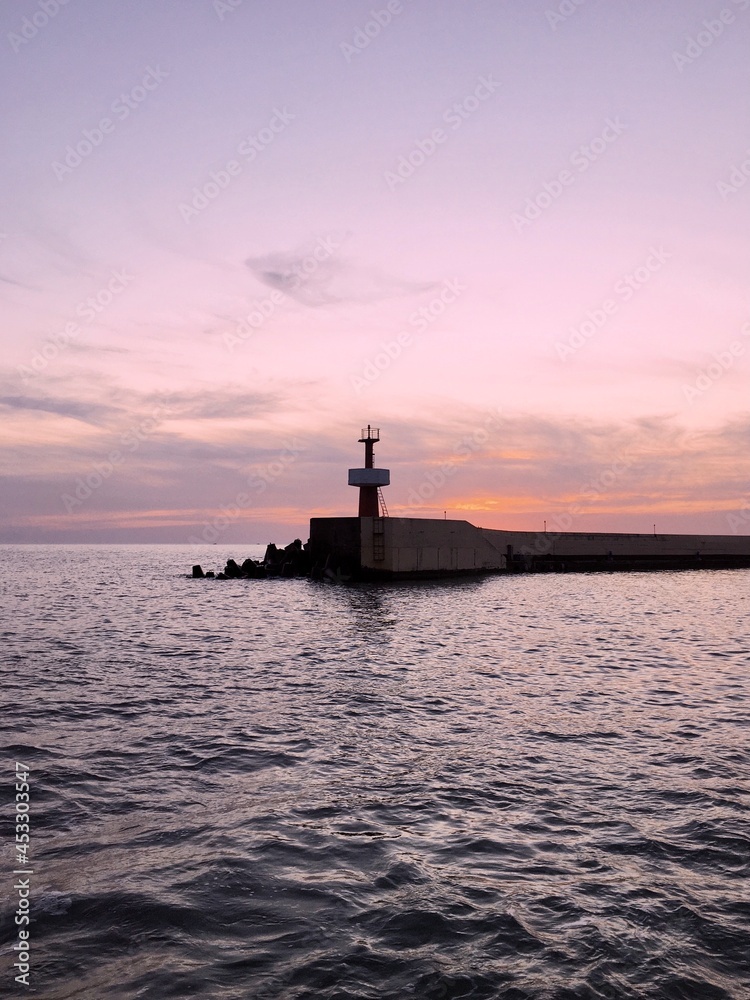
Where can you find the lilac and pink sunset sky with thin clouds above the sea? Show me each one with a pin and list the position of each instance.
(511, 234)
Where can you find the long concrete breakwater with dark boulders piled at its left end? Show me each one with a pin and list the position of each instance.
(393, 548)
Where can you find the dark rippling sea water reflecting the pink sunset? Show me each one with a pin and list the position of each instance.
(508, 787)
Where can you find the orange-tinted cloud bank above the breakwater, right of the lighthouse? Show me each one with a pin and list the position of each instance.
(532, 463)
